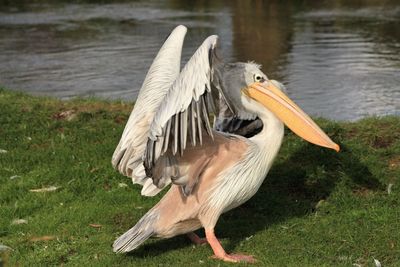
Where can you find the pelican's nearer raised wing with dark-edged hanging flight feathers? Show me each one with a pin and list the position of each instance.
(183, 114)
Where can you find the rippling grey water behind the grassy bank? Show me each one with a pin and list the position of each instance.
(338, 59)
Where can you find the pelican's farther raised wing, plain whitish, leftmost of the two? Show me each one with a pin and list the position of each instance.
(127, 157)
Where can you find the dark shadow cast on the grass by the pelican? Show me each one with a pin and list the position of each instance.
(292, 189)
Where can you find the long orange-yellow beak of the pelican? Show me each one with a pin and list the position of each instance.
(289, 113)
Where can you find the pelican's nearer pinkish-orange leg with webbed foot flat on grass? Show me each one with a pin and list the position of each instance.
(220, 253)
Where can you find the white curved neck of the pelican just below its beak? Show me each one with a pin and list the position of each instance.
(269, 140)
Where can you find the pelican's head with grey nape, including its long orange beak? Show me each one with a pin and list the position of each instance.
(249, 94)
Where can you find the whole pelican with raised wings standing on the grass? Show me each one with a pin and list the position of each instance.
(168, 141)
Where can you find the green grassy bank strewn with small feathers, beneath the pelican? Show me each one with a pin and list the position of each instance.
(316, 207)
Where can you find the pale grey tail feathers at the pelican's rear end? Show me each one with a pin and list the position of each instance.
(139, 233)
